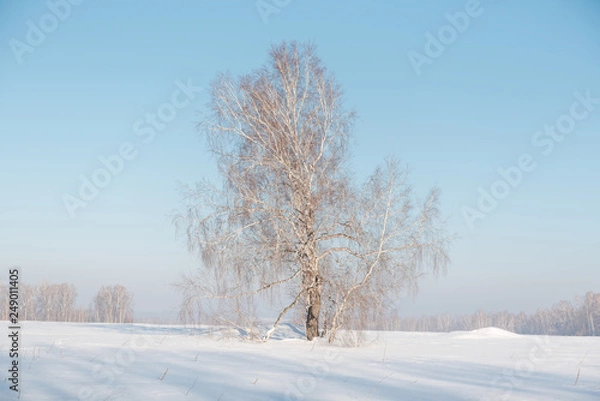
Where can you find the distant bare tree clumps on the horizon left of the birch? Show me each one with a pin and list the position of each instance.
(56, 302)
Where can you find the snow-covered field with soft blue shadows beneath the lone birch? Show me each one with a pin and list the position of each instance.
(103, 362)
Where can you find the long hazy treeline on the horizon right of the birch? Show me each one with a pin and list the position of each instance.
(579, 318)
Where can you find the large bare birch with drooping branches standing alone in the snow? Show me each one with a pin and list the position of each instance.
(288, 214)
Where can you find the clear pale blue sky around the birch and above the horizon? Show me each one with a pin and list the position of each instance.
(80, 82)
